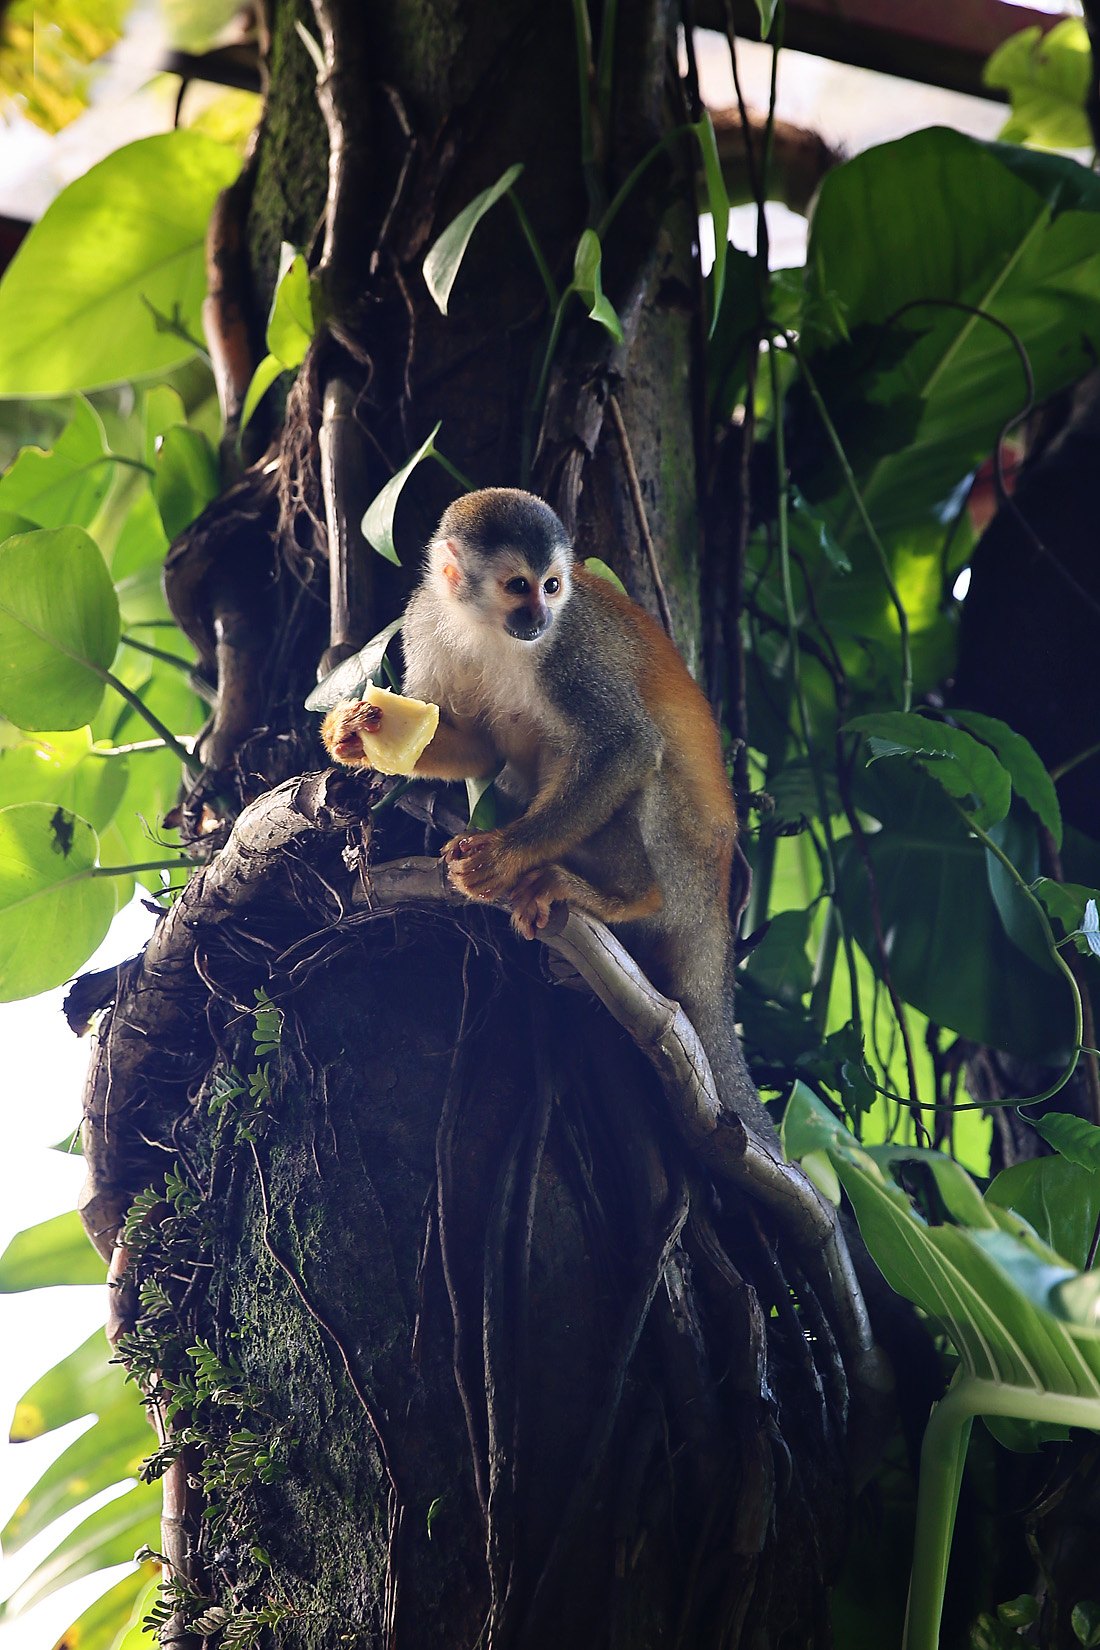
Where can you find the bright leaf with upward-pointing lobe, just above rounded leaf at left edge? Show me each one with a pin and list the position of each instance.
(67, 486)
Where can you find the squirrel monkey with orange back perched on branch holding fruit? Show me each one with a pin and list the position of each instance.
(609, 747)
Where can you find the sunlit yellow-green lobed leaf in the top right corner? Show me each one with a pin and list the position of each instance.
(1046, 77)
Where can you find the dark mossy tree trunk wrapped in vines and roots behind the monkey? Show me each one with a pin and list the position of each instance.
(454, 1334)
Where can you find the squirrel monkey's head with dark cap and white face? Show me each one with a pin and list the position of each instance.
(504, 559)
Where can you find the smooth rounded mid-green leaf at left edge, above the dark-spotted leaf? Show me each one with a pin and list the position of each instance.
(59, 628)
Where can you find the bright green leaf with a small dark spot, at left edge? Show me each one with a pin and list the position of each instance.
(54, 912)
